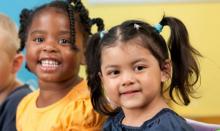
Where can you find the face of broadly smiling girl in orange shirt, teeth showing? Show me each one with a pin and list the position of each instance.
(49, 53)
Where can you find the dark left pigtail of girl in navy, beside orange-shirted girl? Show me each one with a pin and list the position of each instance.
(93, 56)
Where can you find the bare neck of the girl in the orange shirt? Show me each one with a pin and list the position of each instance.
(51, 92)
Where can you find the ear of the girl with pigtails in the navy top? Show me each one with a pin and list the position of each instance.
(166, 70)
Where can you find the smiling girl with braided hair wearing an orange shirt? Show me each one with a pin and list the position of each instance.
(54, 35)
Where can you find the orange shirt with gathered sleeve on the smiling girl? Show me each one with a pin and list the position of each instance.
(74, 112)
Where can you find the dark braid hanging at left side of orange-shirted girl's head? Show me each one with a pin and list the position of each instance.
(24, 21)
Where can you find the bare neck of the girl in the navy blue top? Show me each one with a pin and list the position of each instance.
(136, 117)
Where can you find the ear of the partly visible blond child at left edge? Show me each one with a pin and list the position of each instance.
(17, 62)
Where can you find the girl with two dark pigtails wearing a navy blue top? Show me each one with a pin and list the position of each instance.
(128, 67)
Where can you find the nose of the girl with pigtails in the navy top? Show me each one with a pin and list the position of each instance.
(128, 79)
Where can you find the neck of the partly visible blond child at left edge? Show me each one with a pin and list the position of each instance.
(5, 91)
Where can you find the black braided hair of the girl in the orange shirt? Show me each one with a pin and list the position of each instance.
(72, 8)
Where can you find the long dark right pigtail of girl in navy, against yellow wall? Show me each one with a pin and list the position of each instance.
(185, 68)
